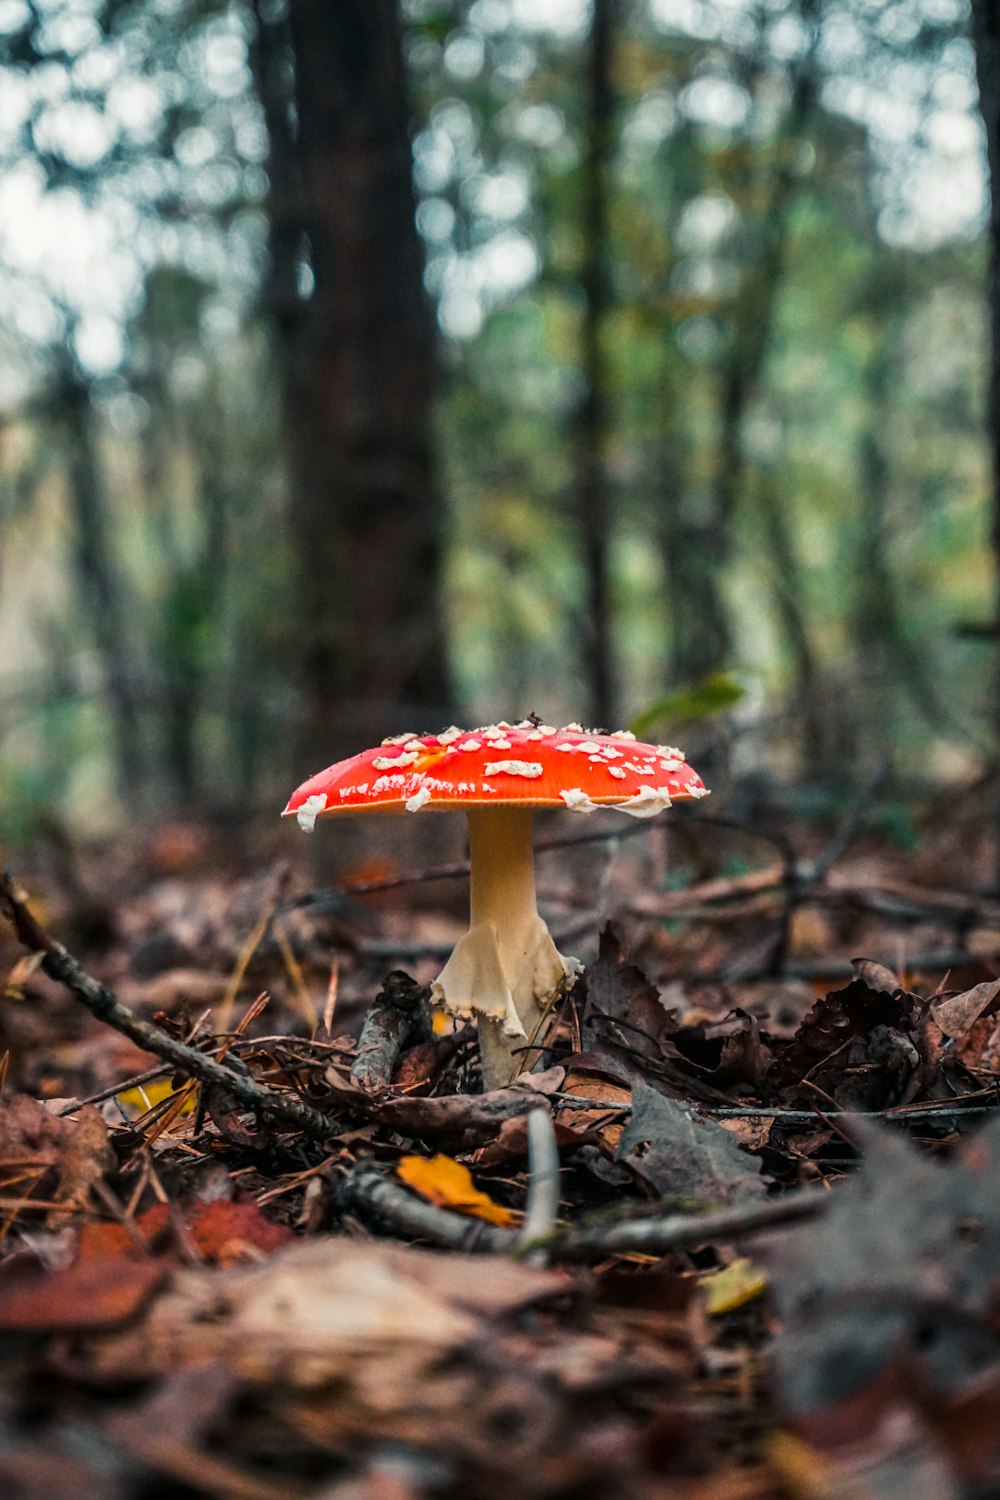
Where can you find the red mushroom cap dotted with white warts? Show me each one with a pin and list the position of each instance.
(524, 766)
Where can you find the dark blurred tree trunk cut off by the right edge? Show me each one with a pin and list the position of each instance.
(986, 25)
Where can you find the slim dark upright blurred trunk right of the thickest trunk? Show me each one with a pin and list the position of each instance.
(593, 413)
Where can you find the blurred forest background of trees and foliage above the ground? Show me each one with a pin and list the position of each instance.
(368, 367)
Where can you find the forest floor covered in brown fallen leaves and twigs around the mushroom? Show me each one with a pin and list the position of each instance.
(735, 1238)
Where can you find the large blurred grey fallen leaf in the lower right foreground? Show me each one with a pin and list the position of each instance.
(890, 1304)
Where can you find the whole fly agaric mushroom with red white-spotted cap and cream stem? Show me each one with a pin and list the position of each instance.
(506, 970)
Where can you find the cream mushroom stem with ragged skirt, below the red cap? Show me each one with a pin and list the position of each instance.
(506, 971)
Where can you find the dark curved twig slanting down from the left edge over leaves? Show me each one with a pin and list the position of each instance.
(104, 1004)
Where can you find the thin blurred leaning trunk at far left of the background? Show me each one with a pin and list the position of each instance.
(98, 584)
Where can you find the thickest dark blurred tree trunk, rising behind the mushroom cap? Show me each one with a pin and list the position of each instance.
(359, 368)
